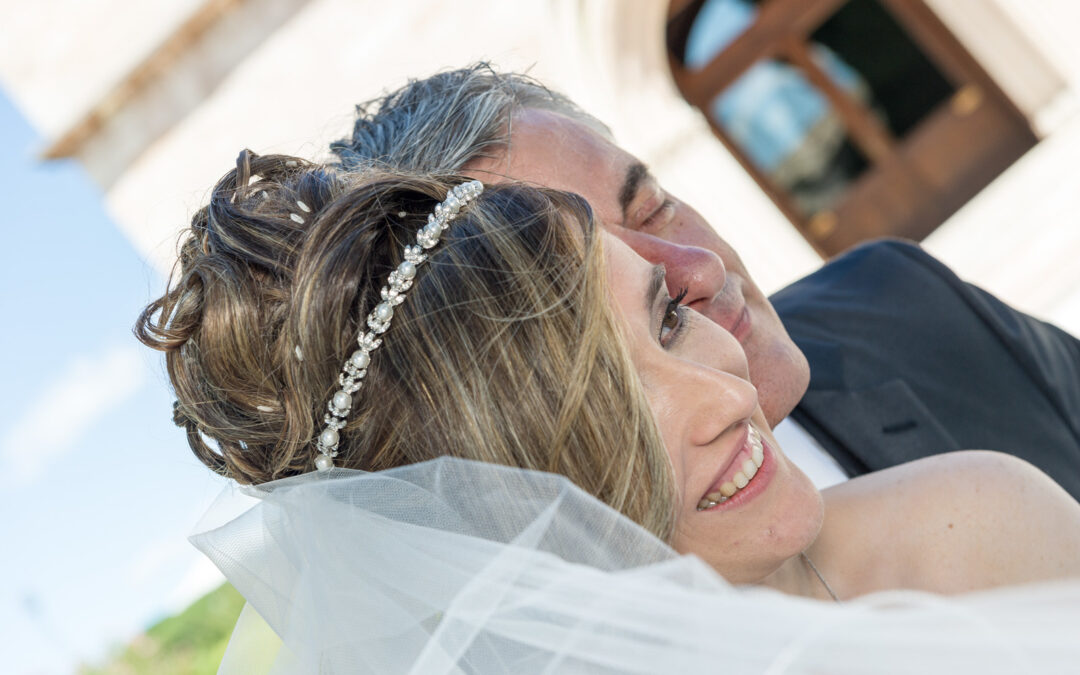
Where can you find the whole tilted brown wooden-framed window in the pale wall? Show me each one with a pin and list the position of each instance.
(860, 118)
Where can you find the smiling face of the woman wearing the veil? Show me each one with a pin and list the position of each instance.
(742, 506)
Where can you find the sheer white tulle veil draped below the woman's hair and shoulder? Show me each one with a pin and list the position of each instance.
(460, 568)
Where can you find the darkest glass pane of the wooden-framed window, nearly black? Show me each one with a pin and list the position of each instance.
(893, 75)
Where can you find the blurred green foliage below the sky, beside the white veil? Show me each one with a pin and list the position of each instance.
(192, 643)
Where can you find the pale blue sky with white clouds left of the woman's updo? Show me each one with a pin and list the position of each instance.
(98, 488)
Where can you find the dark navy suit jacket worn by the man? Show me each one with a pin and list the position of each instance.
(909, 361)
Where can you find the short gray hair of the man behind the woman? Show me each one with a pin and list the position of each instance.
(441, 124)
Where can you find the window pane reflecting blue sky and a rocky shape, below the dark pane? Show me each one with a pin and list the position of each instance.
(788, 130)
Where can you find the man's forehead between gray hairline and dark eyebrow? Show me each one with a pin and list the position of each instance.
(557, 152)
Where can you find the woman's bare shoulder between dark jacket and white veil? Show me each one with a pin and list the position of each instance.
(960, 522)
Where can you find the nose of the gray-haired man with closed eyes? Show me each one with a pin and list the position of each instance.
(698, 271)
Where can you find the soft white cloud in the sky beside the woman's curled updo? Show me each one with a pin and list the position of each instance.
(67, 408)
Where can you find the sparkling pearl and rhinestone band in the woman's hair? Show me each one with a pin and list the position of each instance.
(379, 321)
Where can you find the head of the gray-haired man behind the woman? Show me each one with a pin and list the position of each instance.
(507, 127)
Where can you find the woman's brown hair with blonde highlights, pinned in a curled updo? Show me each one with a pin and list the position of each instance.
(507, 349)
